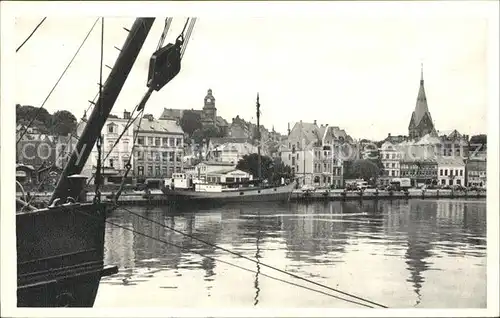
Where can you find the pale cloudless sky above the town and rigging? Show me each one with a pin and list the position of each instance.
(358, 72)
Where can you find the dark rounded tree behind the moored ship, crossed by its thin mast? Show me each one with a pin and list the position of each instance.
(272, 169)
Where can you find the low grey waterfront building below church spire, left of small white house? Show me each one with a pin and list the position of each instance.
(420, 171)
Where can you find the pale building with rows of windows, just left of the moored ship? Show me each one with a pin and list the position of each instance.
(159, 149)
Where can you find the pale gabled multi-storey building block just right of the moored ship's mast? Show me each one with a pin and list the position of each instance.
(312, 152)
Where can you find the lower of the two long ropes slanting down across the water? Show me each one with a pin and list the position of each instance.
(222, 261)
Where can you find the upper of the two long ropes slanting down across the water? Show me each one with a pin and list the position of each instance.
(252, 260)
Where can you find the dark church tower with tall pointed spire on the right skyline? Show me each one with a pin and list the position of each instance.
(421, 121)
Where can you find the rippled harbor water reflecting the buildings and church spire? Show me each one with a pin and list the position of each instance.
(402, 253)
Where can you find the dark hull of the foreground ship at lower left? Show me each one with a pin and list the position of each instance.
(60, 256)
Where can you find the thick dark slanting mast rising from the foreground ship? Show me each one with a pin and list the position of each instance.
(110, 91)
